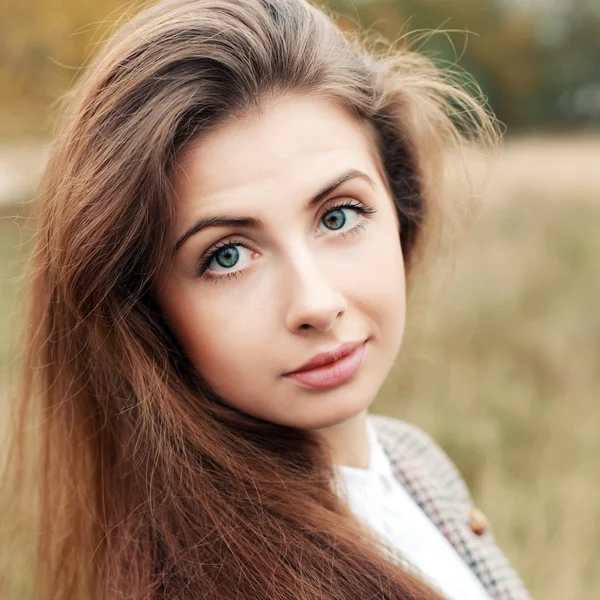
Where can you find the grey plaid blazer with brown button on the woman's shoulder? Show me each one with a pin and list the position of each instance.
(431, 478)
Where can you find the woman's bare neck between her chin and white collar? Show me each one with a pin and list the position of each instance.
(349, 441)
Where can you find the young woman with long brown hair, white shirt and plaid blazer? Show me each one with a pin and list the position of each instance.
(234, 205)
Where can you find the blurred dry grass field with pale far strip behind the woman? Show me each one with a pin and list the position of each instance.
(502, 364)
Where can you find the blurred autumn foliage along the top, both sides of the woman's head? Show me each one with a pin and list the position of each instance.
(538, 62)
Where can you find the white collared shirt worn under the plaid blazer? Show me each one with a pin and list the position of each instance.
(376, 497)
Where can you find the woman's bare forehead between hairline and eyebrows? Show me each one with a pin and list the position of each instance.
(288, 148)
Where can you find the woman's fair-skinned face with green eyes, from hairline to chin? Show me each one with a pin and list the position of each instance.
(303, 271)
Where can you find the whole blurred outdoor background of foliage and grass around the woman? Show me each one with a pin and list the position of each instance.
(502, 364)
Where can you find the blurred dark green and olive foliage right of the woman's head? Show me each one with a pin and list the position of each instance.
(533, 59)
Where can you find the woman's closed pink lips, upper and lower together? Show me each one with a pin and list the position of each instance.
(332, 373)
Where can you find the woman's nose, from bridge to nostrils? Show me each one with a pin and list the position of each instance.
(314, 300)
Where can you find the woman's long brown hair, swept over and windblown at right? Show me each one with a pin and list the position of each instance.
(148, 485)
